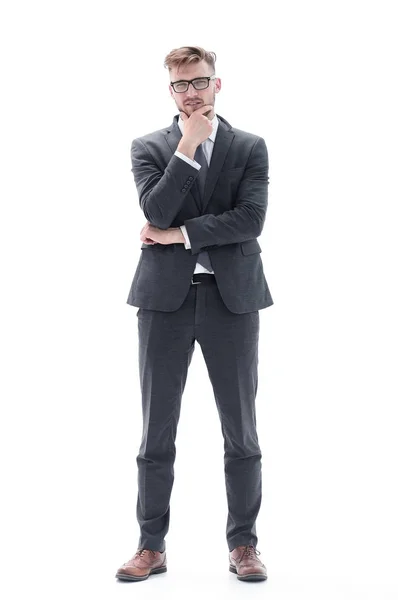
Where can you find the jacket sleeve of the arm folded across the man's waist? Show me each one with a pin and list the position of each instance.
(246, 220)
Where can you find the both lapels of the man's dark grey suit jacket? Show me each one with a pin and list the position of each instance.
(222, 143)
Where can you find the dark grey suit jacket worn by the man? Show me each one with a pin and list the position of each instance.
(226, 222)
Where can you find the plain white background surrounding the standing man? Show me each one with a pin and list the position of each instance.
(317, 80)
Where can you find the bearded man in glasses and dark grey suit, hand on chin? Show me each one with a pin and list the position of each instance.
(202, 186)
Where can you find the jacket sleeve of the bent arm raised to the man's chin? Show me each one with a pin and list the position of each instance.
(161, 193)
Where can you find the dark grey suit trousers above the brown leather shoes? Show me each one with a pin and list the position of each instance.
(229, 343)
